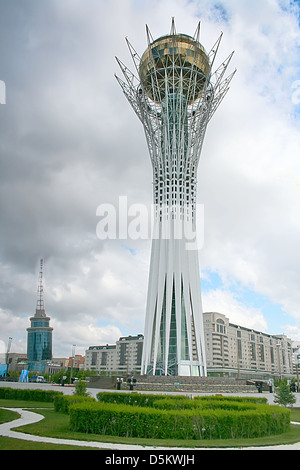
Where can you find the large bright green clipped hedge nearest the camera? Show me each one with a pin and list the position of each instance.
(145, 422)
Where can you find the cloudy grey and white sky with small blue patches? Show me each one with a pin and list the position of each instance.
(70, 142)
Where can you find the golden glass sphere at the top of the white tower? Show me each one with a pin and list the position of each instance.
(174, 63)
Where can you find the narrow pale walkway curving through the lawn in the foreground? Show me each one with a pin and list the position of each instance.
(30, 417)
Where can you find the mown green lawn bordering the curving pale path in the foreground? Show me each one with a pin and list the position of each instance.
(56, 425)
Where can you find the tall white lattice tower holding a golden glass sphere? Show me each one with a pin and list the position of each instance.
(174, 93)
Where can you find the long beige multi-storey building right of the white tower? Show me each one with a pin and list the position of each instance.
(243, 352)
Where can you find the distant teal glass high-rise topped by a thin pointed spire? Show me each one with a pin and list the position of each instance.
(39, 339)
